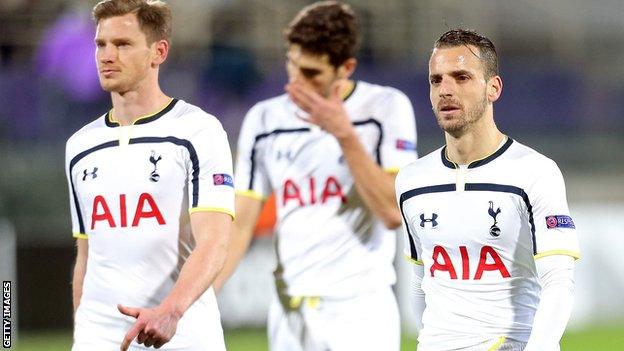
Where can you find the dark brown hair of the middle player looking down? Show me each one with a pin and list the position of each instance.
(325, 27)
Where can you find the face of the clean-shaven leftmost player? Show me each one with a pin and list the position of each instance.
(123, 56)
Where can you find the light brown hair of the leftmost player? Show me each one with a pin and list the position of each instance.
(154, 15)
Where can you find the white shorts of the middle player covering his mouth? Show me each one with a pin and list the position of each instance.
(369, 321)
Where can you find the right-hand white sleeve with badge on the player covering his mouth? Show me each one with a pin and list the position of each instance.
(398, 147)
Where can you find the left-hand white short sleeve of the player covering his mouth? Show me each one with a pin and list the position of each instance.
(251, 180)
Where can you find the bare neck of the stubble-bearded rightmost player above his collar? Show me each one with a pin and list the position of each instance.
(482, 140)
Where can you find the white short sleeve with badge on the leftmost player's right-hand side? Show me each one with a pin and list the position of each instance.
(210, 181)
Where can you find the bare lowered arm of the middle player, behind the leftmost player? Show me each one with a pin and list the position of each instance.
(247, 212)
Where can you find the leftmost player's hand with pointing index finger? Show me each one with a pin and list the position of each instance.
(153, 326)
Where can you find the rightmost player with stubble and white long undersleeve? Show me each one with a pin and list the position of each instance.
(486, 218)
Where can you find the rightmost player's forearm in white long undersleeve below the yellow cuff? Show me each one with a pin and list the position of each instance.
(556, 274)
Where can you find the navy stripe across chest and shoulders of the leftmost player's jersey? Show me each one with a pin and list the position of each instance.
(180, 142)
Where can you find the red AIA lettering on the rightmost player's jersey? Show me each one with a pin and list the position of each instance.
(489, 261)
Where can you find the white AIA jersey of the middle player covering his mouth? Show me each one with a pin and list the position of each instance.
(327, 242)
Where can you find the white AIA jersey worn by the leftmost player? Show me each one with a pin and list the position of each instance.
(131, 190)
